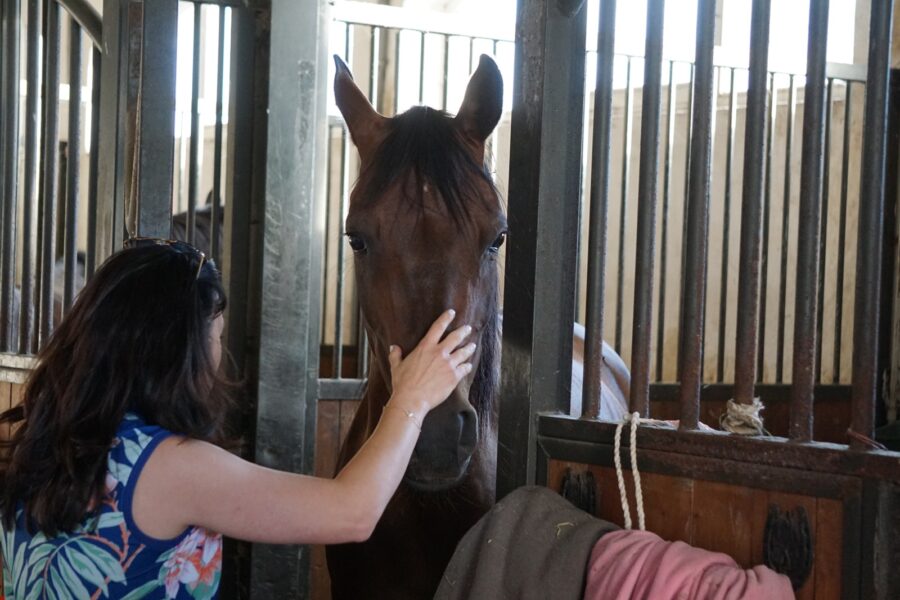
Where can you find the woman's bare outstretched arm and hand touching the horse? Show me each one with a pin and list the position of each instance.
(187, 482)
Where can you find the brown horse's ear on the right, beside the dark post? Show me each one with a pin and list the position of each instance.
(483, 102)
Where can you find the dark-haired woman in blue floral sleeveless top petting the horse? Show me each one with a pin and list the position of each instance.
(114, 482)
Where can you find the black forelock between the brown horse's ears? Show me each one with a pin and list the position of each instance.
(425, 144)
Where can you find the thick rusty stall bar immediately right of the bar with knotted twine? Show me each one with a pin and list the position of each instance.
(803, 374)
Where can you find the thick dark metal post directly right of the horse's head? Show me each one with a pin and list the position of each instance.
(545, 181)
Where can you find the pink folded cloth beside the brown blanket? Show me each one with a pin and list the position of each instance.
(641, 565)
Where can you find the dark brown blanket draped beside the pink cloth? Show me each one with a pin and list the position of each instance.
(533, 544)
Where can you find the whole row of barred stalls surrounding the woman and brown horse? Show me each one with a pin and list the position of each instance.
(683, 209)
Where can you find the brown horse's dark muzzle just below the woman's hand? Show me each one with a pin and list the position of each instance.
(445, 447)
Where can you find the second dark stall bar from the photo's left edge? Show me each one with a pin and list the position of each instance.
(32, 159)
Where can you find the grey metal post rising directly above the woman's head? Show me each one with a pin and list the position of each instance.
(156, 119)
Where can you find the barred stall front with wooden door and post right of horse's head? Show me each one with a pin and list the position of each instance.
(721, 491)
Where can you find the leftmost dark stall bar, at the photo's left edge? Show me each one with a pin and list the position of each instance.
(10, 172)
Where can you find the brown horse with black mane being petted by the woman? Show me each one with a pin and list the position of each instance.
(425, 223)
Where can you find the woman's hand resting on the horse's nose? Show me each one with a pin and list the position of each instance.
(429, 373)
